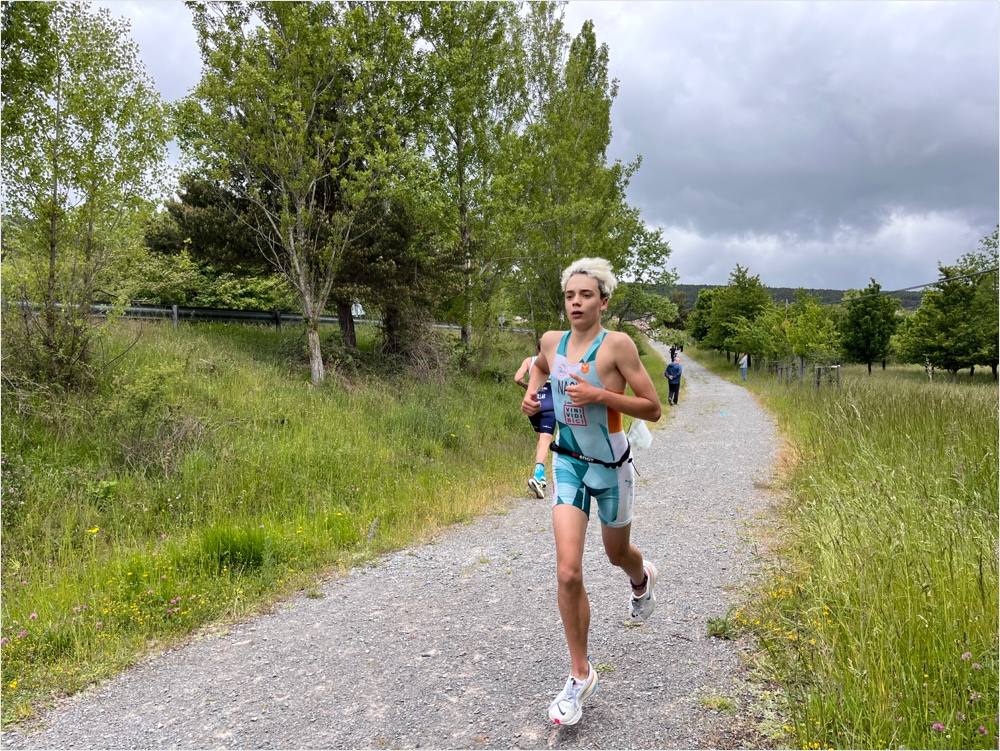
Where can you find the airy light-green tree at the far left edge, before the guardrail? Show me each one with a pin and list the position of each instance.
(80, 167)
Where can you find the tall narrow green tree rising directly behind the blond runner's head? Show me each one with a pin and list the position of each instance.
(572, 203)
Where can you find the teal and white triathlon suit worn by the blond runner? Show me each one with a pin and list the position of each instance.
(595, 431)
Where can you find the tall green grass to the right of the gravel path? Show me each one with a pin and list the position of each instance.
(879, 617)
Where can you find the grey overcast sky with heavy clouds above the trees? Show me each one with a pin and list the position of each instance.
(818, 143)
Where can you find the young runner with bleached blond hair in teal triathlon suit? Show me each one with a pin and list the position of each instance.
(589, 369)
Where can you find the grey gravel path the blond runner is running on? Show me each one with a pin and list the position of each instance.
(458, 643)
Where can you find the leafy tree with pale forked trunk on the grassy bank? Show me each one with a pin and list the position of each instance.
(292, 116)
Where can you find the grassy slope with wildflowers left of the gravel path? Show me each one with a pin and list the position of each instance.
(208, 478)
